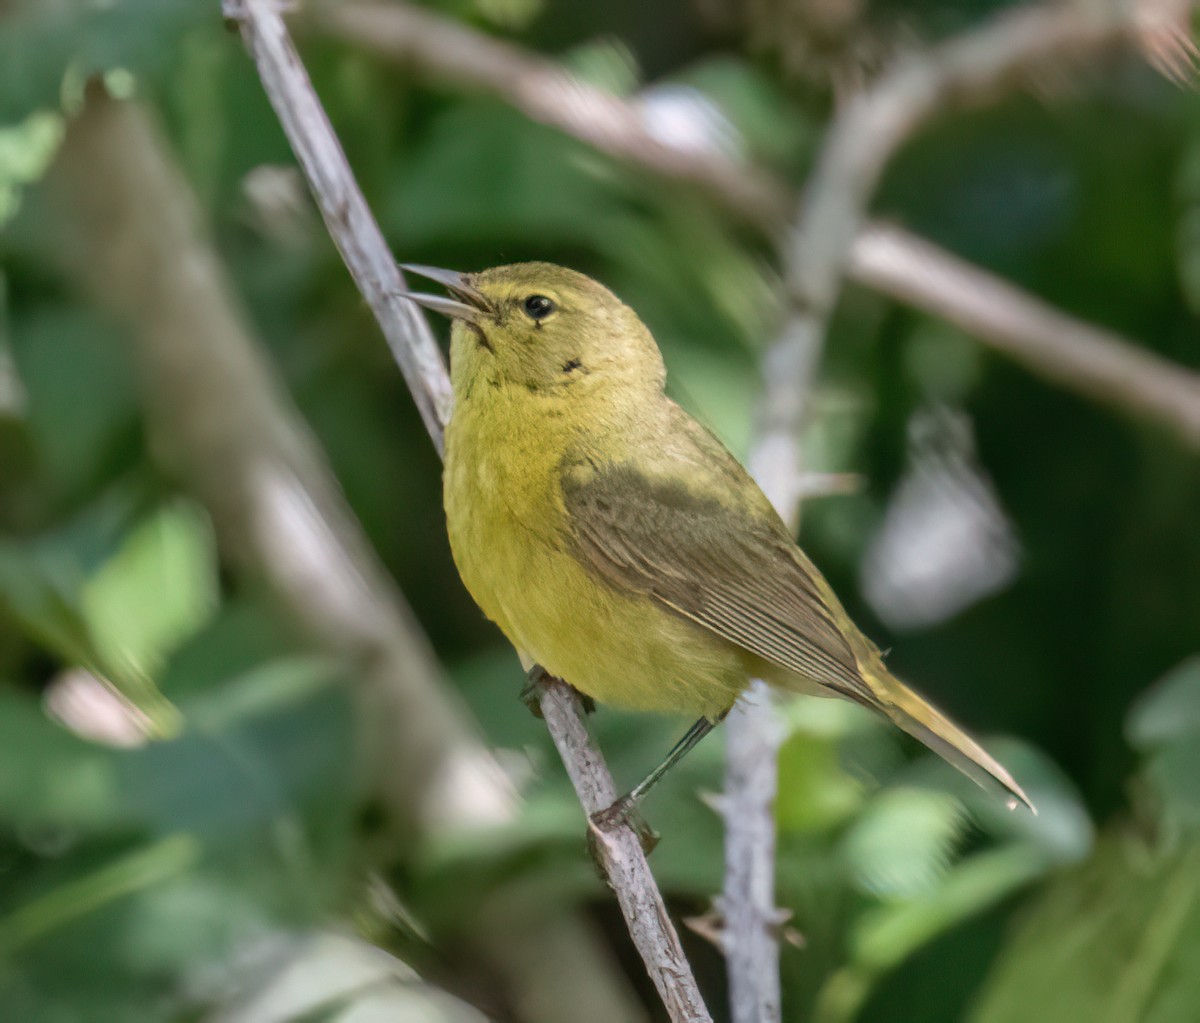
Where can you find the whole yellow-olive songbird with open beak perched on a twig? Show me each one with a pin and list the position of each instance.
(615, 541)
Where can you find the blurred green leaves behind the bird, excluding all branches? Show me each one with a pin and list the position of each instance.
(181, 799)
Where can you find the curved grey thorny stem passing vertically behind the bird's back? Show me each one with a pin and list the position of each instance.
(861, 142)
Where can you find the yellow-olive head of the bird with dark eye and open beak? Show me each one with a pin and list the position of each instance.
(541, 327)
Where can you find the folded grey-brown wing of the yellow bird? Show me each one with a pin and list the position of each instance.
(723, 564)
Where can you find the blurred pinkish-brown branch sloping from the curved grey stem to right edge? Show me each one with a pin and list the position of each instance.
(1058, 348)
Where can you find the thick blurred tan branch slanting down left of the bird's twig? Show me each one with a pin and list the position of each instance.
(225, 427)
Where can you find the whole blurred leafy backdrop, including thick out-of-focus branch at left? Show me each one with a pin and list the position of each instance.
(202, 816)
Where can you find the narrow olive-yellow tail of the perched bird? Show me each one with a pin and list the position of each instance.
(928, 725)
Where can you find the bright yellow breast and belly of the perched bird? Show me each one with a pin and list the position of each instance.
(507, 533)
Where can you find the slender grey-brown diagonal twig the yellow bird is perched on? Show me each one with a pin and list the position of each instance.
(357, 236)
